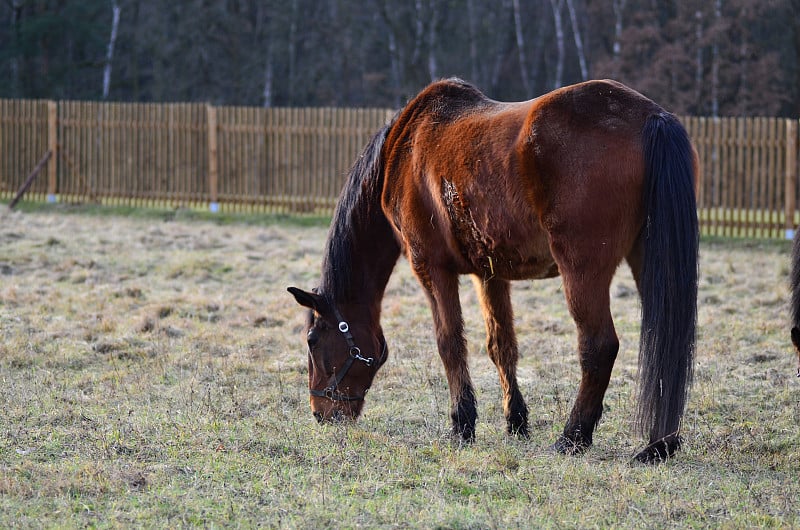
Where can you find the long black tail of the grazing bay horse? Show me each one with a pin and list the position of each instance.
(668, 278)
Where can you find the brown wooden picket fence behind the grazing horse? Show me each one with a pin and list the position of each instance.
(295, 160)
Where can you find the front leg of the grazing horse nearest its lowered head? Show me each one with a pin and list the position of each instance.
(442, 290)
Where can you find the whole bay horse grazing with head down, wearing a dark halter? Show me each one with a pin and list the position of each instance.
(570, 183)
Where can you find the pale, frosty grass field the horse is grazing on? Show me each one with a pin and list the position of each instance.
(154, 375)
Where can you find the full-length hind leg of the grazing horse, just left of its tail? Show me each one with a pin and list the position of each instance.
(588, 301)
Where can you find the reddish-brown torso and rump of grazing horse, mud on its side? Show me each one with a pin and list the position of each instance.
(482, 187)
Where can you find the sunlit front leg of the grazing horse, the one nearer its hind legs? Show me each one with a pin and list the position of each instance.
(501, 344)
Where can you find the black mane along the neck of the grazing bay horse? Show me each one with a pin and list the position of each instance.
(358, 206)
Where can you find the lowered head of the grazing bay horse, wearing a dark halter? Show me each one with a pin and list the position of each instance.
(343, 356)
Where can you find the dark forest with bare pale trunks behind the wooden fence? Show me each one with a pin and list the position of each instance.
(709, 58)
